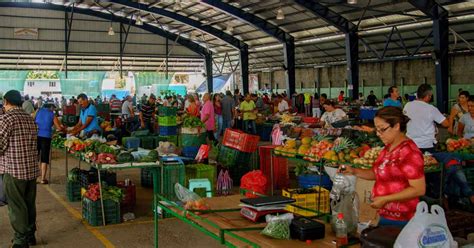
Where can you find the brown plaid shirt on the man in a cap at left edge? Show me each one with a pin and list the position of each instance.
(18, 145)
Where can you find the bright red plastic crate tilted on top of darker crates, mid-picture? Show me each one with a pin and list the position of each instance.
(240, 141)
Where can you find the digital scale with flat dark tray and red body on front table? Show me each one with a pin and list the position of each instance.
(256, 208)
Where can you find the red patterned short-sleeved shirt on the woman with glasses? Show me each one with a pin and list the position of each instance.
(392, 172)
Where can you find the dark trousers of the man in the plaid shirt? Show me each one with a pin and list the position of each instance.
(21, 195)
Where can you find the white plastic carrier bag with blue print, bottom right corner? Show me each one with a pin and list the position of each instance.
(426, 229)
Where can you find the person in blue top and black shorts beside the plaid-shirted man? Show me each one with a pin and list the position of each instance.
(45, 119)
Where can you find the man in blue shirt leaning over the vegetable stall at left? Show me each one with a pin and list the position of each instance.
(87, 119)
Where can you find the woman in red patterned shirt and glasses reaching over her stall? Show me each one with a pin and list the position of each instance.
(398, 171)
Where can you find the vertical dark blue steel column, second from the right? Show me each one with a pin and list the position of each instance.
(352, 56)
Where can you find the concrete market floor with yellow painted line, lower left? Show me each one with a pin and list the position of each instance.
(59, 221)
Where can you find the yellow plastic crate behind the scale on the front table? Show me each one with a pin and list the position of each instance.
(308, 201)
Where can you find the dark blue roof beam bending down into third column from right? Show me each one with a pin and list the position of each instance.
(270, 29)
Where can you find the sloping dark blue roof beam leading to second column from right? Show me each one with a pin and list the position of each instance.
(327, 15)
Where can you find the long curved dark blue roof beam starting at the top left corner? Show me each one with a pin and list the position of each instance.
(195, 47)
